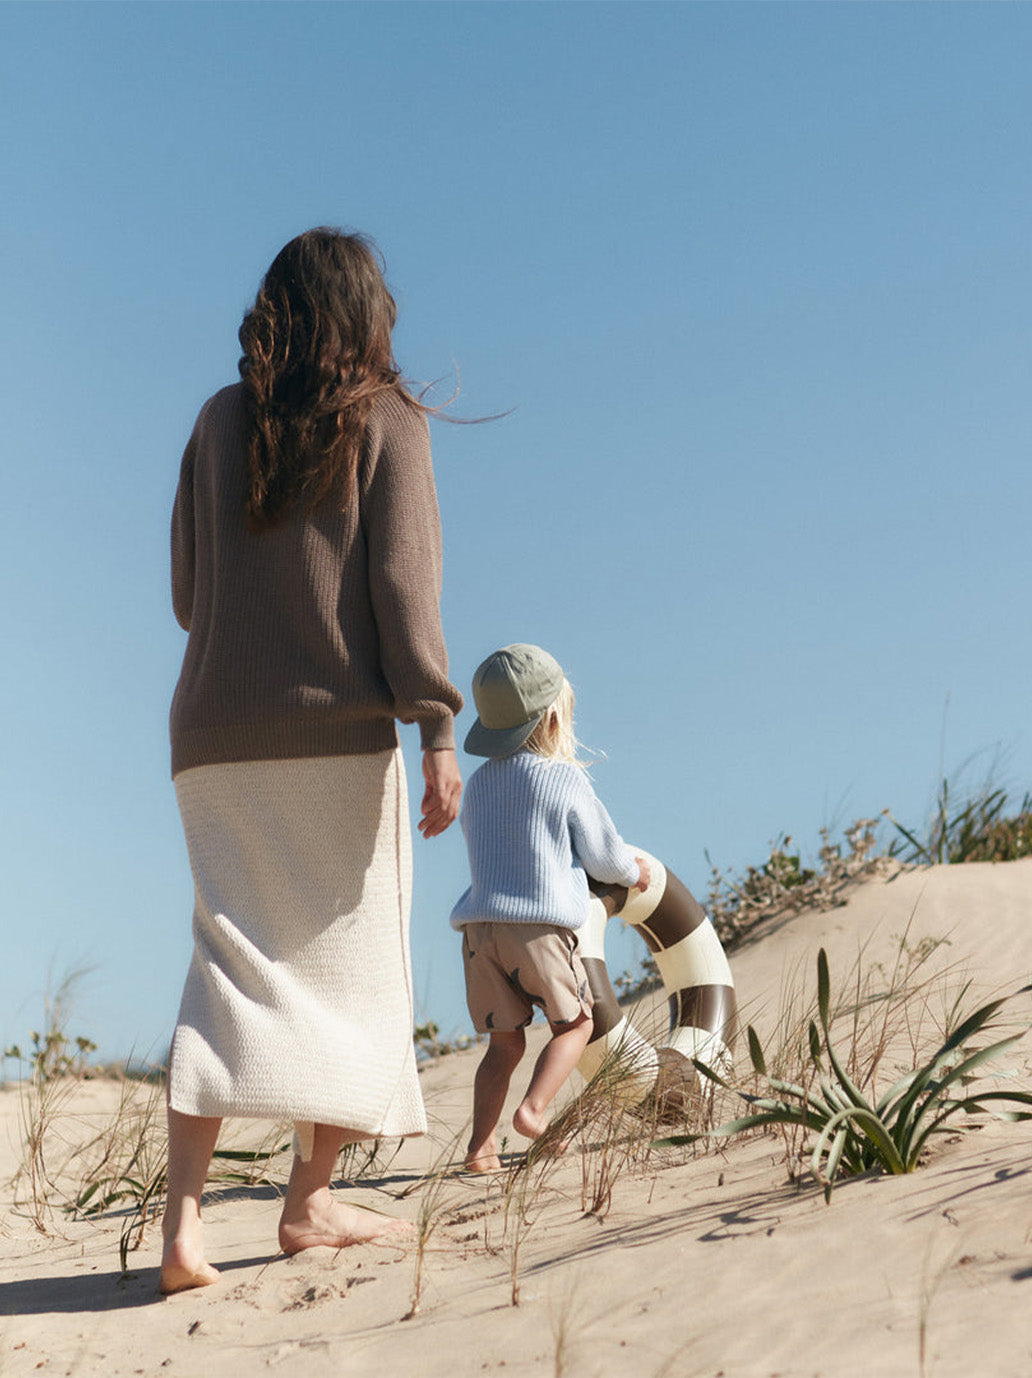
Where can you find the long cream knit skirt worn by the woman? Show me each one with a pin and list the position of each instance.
(298, 1002)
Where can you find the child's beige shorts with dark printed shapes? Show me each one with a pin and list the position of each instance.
(512, 968)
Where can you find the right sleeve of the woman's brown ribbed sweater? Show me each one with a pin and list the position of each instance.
(403, 533)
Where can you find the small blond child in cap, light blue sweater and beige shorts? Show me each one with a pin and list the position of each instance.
(534, 827)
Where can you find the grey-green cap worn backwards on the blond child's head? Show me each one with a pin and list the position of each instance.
(512, 691)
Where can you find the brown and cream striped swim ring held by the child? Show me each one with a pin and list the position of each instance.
(696, 978)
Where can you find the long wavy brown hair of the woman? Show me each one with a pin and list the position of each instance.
(318, 351)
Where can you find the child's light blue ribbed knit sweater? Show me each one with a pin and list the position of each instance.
(534, 827)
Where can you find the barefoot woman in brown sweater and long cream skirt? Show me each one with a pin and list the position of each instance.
(307, 568)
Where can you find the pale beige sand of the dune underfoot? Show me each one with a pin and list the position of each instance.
(708, 1263)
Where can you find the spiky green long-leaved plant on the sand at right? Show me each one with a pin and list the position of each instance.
(856, 1135)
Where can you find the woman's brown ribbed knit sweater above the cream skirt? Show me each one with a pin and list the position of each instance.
(308, 640)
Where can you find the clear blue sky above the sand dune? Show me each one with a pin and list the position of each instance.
(753, 282)
